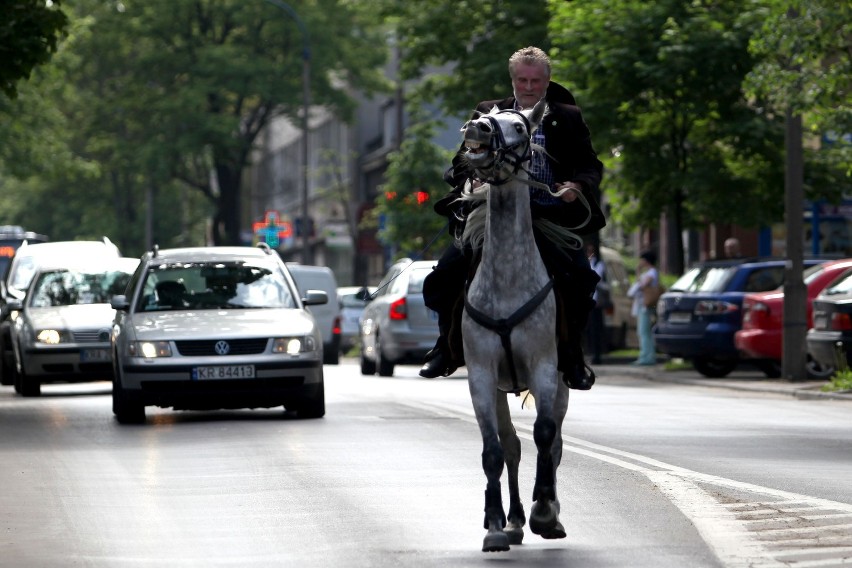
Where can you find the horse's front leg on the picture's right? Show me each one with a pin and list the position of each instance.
(544, 515)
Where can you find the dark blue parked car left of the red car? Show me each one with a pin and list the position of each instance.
(699, 315)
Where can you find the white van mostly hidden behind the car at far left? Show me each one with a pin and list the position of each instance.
(27, 259)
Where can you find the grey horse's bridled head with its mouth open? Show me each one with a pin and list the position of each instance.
(499, 142)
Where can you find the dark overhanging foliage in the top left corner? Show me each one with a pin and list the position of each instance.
(29, 33)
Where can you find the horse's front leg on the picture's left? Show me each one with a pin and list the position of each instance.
(483, 394)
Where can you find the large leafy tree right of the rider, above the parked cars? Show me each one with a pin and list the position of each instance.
(660, 85)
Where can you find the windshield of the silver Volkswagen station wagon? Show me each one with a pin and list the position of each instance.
(214, 285)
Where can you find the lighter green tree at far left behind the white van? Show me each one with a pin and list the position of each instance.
(53, 178)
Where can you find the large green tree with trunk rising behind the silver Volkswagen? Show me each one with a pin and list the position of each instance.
(180, 90)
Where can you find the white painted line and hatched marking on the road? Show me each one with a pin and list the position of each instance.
(788, 534)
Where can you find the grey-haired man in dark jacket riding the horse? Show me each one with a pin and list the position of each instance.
(569, 161)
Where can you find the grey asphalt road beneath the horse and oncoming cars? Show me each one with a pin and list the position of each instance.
(653, 474)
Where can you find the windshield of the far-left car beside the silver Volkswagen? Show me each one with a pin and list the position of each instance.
(75, 287)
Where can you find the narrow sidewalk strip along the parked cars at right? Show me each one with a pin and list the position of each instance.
(740, 379)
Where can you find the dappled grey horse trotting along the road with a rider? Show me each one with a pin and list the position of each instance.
(508, 326)
